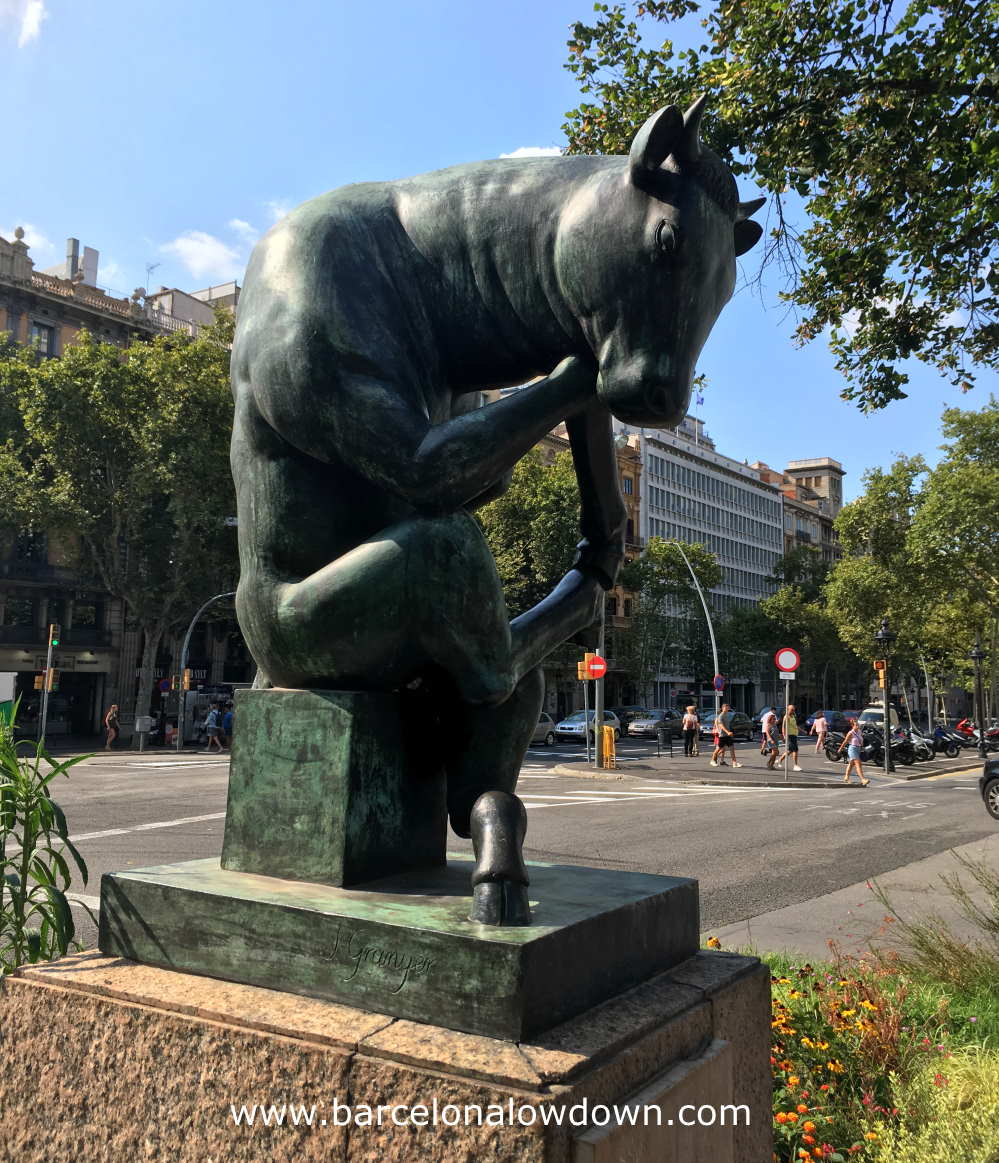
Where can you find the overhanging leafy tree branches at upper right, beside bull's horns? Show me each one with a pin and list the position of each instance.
(883, 118)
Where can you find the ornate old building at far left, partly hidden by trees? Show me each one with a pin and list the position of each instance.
(99, 648)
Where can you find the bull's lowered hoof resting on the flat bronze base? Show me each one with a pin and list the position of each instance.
(499, 880)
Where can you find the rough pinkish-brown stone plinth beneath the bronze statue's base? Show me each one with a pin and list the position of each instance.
(110, 1060)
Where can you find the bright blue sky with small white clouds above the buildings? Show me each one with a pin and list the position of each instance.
(176, 133)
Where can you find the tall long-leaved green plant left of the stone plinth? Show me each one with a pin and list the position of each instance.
(37, 923)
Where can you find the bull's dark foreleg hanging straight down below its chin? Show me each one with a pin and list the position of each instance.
(604, 517)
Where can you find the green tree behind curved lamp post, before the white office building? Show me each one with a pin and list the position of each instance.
(667, 618)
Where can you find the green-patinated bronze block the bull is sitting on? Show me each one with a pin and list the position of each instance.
(336, 788)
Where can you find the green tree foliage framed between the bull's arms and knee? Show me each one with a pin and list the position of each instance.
(533, 530)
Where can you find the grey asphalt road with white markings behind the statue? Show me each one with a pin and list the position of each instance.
(753, 850)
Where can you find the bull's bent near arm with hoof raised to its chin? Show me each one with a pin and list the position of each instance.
(375, 426)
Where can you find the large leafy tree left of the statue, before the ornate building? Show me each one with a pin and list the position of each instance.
(125, 453)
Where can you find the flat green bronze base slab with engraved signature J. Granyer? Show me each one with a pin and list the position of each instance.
(404, 946)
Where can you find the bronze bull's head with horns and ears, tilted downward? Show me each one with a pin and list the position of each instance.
(646, 258)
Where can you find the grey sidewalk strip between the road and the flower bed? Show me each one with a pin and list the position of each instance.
(854, 918)
